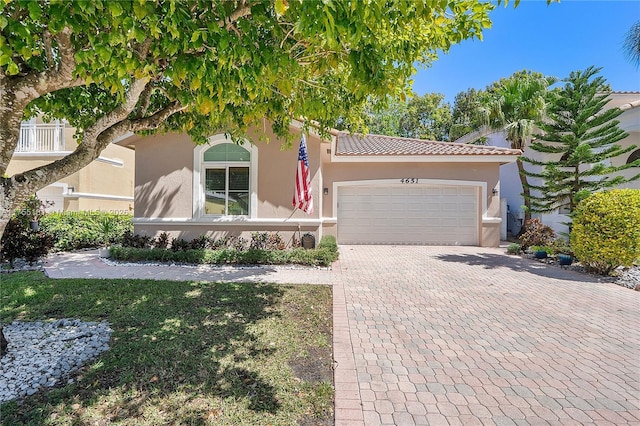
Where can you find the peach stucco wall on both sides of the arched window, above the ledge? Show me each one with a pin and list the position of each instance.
(164, 181)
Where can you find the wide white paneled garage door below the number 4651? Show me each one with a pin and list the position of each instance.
(408, 214)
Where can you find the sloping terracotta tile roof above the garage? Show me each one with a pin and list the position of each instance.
(355, 145)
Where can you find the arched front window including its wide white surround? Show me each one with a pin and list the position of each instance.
(224, 182)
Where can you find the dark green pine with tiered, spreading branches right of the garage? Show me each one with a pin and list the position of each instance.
(581, 135)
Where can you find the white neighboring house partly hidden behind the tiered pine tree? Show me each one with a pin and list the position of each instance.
(511, 188)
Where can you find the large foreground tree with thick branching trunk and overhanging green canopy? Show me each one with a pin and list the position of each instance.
(115, 67)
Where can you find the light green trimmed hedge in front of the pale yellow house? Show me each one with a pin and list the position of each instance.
(77, 230)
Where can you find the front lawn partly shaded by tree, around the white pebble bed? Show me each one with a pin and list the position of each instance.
(192, 353)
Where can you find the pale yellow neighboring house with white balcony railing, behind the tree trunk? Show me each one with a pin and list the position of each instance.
(106, 184)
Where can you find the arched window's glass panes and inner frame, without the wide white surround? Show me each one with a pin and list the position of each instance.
(225, 180)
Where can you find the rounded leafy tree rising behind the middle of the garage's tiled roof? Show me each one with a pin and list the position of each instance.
(426, 117)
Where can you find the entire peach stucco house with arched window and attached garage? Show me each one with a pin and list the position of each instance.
(366, 190)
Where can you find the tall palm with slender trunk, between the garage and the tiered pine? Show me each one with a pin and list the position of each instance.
(514, 105)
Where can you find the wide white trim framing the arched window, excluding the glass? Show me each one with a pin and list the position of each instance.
(198, 178)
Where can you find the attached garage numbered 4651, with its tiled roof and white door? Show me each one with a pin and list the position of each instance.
(389, 190)
